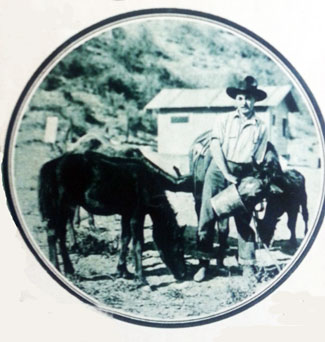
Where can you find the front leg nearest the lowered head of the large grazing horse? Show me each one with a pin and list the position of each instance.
(136, 224)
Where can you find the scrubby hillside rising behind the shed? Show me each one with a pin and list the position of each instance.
(109, 79)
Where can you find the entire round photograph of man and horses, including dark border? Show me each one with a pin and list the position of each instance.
(166, 166)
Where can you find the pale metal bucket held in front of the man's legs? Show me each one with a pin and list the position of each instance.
(227, 202)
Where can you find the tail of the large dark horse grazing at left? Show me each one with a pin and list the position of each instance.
(48, 191)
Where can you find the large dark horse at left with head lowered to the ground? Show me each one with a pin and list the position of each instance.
(111, 185)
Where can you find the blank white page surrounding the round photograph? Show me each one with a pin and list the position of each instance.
(33, 306)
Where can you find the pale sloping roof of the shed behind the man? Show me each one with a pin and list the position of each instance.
(207, 98)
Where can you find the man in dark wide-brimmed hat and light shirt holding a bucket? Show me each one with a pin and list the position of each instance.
(238, 142)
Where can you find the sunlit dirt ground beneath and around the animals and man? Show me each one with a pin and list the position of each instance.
(164, 299)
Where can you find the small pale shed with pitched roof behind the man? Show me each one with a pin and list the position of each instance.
(183, 114)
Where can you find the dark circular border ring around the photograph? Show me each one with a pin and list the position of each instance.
(69, 42)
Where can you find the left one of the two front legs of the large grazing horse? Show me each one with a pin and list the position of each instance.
(122, 270)
